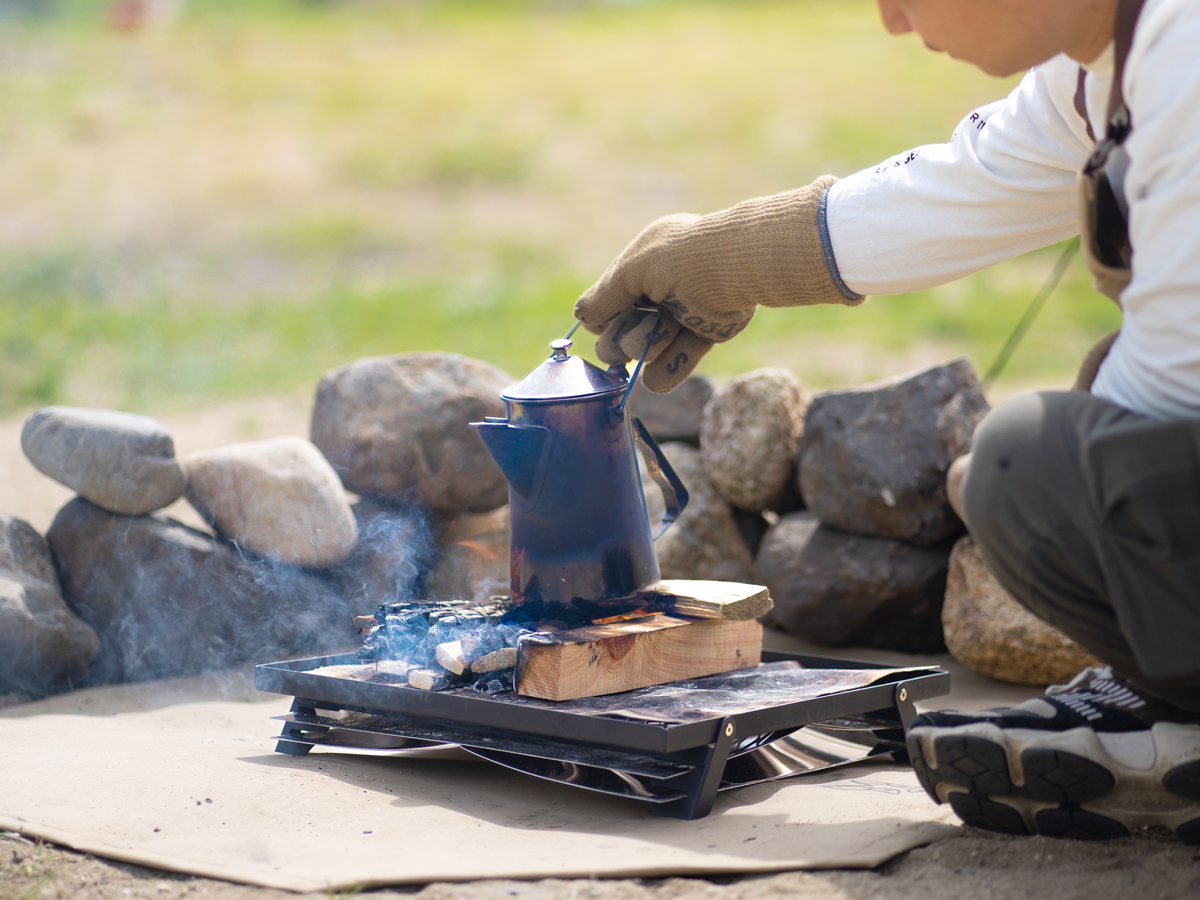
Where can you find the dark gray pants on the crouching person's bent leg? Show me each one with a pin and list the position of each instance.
(1090, 517)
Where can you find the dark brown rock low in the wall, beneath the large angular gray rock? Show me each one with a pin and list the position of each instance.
(843, 590)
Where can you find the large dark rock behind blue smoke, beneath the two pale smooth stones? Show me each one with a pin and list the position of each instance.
(169, 601)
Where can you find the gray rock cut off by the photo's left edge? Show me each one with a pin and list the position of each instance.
(44, 646)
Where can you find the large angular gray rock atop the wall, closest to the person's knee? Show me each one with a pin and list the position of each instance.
(874, 459)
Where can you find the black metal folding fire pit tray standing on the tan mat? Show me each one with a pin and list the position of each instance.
(677, 767)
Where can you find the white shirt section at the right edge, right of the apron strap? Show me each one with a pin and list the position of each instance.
(1155, 365)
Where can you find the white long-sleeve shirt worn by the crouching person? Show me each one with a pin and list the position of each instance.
(1006, 184)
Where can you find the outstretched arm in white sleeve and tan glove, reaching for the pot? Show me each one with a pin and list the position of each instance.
(1003, 185)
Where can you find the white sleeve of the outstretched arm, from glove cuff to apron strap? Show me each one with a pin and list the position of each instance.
(1004, 185)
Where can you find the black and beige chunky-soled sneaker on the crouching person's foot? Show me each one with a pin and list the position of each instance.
(1093, 759)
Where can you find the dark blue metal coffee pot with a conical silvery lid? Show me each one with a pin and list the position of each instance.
(580, 535)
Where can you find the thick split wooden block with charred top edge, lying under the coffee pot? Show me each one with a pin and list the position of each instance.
(621, 657)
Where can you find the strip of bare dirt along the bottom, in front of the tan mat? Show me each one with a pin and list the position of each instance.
(976, 865)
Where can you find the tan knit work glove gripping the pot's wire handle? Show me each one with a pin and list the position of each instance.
(709, 274)
